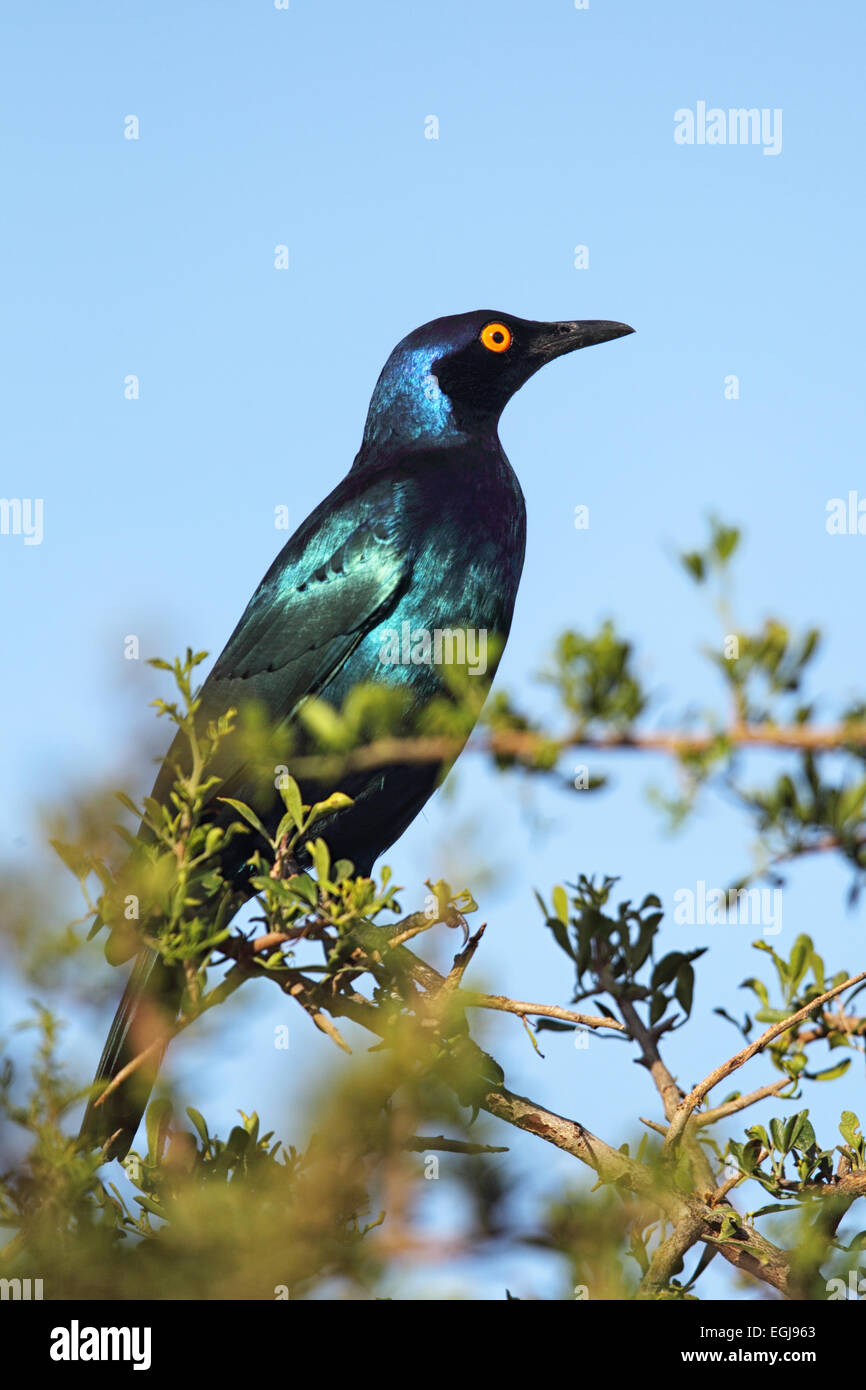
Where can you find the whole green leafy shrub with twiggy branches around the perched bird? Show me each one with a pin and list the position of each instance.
(347, 1211)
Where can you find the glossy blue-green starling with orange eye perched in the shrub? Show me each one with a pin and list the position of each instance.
(422, 541)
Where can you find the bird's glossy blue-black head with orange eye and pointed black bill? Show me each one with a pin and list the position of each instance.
(451, 379)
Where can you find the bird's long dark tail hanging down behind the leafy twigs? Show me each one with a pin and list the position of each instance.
(147, 1011)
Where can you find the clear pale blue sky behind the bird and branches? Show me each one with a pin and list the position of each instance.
(307, 129)
